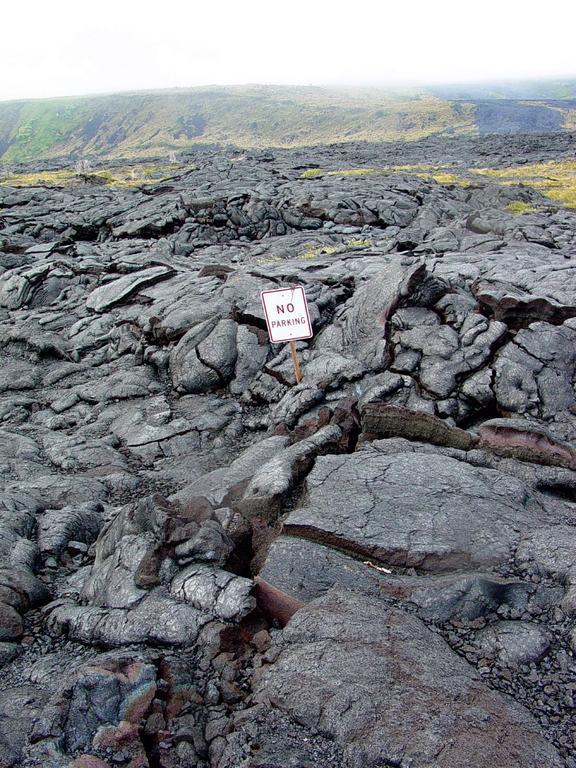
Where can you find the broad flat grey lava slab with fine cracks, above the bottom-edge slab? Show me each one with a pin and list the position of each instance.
(402, 507)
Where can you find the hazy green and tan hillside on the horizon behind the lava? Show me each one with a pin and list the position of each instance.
(156, 123)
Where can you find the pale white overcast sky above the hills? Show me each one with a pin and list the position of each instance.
(65, 47)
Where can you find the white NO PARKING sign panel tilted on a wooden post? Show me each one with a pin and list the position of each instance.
(287, 315)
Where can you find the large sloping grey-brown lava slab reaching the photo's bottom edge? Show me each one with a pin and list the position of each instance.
(368, 677)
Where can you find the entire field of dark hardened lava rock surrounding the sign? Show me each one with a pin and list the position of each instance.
(205, 563)
